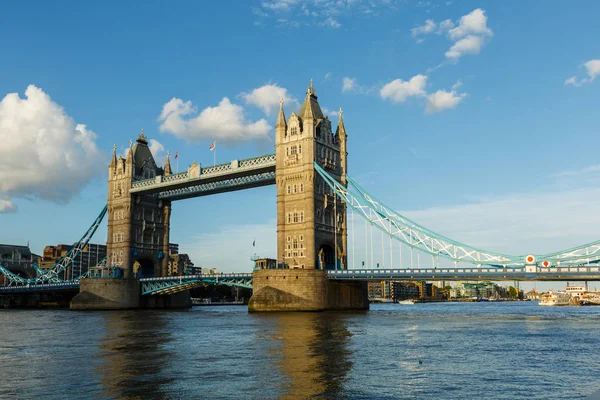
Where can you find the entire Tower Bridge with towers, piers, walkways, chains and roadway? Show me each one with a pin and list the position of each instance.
(314, 194)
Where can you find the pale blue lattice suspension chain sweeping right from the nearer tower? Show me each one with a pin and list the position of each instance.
(400, 228)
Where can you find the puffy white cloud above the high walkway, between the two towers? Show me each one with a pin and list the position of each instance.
(225, 122)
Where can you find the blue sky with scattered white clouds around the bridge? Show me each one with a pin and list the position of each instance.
(477, 119)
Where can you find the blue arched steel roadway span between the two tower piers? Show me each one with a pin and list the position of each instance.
(175, 284)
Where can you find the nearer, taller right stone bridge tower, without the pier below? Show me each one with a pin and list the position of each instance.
(311, 224)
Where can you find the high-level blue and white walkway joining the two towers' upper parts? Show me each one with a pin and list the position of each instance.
(198, 181)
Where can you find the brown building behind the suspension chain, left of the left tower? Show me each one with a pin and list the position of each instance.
(89, 257)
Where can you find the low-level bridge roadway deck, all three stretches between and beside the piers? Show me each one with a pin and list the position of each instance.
(174, 284)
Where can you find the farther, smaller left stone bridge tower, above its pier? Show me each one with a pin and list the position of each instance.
(138, 226)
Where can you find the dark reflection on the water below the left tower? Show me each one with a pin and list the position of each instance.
(133, 355)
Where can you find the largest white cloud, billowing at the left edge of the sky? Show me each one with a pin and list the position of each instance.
(44, 153)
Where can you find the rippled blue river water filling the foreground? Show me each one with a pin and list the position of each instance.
(423, 351)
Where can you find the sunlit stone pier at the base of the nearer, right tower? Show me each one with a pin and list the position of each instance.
(304, 290)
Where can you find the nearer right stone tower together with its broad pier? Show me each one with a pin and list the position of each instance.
(311, 221)
